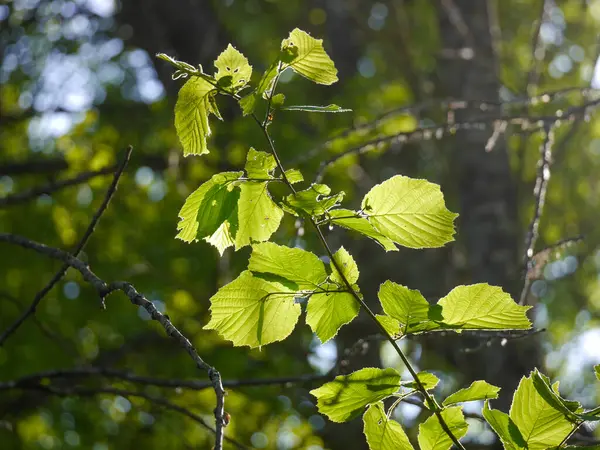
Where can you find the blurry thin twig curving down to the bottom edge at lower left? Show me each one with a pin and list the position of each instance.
(87, 392)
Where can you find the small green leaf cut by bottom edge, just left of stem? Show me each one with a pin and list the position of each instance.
(383, 433)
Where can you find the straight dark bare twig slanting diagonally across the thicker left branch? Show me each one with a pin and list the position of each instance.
(82, 242)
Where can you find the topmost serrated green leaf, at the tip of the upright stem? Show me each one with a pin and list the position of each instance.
(307, 57)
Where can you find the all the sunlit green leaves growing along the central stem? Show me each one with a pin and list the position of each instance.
(263, 304)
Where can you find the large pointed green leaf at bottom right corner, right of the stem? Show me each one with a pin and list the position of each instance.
(540, 424)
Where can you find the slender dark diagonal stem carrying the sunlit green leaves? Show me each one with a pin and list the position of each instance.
(430, 401)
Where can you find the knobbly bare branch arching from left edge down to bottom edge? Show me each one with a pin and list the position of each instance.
(136, 298)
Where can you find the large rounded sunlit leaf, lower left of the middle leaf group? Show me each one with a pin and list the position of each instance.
(252, 311)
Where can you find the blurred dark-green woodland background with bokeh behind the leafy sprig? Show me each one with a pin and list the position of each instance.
(79, 82)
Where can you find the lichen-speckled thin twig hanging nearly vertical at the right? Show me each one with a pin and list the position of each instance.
(539, 194)
